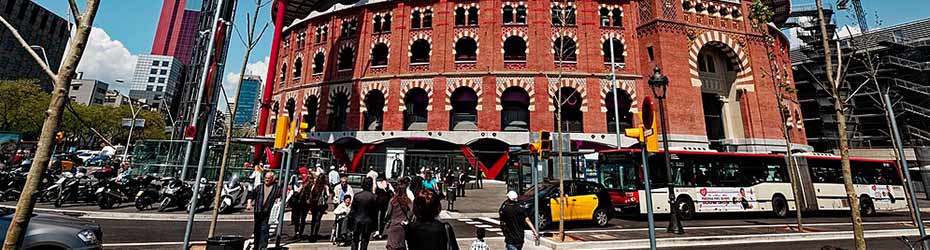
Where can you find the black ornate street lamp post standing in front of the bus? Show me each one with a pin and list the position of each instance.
(659, 85)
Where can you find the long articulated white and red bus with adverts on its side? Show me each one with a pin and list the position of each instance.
(715, 182)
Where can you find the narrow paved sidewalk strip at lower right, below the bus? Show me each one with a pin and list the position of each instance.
(637, 238)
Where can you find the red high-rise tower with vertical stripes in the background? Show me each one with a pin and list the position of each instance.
(177, 27)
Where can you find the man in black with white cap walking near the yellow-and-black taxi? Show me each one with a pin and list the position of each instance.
(513, 218)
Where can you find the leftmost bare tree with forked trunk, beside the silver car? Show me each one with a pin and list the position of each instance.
(61, 84)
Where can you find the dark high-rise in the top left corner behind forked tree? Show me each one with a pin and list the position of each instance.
(47, 32)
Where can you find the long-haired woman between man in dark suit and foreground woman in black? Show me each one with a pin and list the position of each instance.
(398, 215)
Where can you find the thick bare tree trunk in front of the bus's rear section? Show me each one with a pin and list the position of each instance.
(858, 229)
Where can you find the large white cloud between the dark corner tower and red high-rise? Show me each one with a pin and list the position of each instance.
(106, 59)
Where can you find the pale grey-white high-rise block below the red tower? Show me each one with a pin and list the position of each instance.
(155, 80)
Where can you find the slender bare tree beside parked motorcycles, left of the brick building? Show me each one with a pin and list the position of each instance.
(249, 42)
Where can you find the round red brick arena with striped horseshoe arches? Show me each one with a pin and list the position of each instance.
(473, 78)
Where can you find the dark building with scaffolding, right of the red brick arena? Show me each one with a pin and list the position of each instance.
(893, 59)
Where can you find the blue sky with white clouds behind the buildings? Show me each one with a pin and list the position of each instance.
(127, 27)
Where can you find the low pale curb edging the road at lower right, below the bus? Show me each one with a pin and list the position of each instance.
(719, 240)
